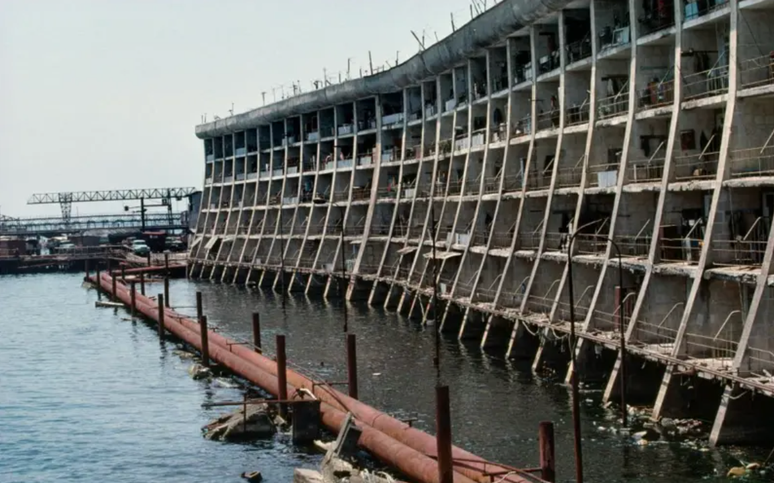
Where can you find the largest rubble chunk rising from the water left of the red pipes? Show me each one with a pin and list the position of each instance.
(256, 423)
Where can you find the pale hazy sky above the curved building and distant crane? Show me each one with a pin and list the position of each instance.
(105, 94)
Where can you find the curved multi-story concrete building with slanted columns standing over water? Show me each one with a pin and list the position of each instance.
(648, 123)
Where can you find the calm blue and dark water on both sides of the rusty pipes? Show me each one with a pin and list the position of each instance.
(86, 395)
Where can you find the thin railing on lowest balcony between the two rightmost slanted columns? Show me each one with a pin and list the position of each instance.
(721, 347)
